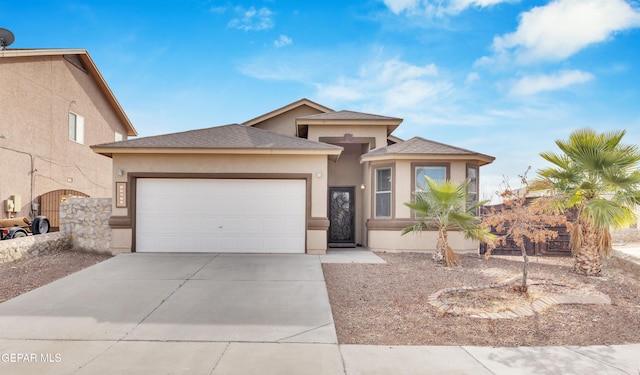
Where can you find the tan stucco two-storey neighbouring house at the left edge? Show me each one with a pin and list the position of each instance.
(54, 104)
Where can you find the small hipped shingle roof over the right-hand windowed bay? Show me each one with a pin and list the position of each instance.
(420, 147)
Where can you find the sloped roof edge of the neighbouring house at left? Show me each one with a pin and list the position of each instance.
(79, 56)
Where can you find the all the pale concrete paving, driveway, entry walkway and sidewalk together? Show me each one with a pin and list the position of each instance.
(235, 314)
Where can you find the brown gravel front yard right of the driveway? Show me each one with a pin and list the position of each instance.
(387, 304)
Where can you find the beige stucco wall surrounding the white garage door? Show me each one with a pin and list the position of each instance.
(221, 166)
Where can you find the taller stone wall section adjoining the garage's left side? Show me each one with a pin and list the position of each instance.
(86, 222)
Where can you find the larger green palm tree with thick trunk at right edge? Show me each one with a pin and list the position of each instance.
(597, 176)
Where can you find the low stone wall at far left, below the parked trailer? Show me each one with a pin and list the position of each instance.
(32, 246)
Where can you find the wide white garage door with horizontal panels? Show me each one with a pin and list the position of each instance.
(209, 215)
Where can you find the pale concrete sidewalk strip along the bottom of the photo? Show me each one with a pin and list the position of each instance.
(196, 357)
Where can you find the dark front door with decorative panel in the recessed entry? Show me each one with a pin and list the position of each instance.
(341, 217)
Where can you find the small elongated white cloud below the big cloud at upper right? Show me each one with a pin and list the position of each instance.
(548, 82)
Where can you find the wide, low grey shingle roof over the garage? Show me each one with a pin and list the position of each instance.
(231, 138)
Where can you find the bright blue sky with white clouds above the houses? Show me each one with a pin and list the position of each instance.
(501, 77)
